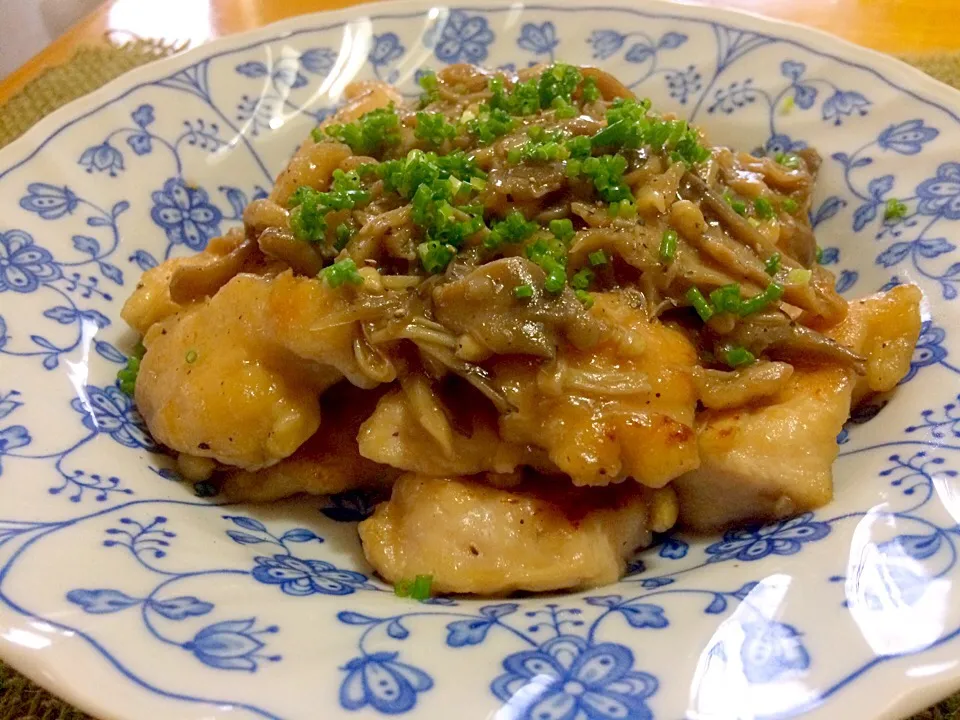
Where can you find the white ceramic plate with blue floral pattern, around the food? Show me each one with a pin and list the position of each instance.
(131, 597)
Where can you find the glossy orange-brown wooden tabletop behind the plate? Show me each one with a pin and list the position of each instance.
(893, 26)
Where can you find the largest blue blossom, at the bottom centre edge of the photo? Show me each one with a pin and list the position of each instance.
(575, 680)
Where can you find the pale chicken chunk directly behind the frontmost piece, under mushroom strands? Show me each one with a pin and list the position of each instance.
(411, 430)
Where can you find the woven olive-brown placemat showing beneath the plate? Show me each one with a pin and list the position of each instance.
(93, 67)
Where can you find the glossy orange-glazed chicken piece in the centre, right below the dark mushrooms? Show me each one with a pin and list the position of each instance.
(599, 414)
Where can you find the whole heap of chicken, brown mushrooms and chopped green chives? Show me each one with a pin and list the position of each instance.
(543, 320)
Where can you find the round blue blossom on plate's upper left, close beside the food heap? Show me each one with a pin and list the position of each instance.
(186, 214)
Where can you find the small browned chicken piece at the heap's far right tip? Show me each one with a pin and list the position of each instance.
(884, 329)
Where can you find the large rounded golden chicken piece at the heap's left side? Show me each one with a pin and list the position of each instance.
(211, 386)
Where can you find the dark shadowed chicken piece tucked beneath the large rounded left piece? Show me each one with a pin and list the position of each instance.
(327, 463)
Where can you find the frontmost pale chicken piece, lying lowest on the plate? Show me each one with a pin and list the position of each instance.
(473, 538)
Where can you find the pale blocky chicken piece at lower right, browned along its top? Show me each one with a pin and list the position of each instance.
(768, 461)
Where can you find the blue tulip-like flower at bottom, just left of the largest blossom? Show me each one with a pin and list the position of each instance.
(382, 682)
